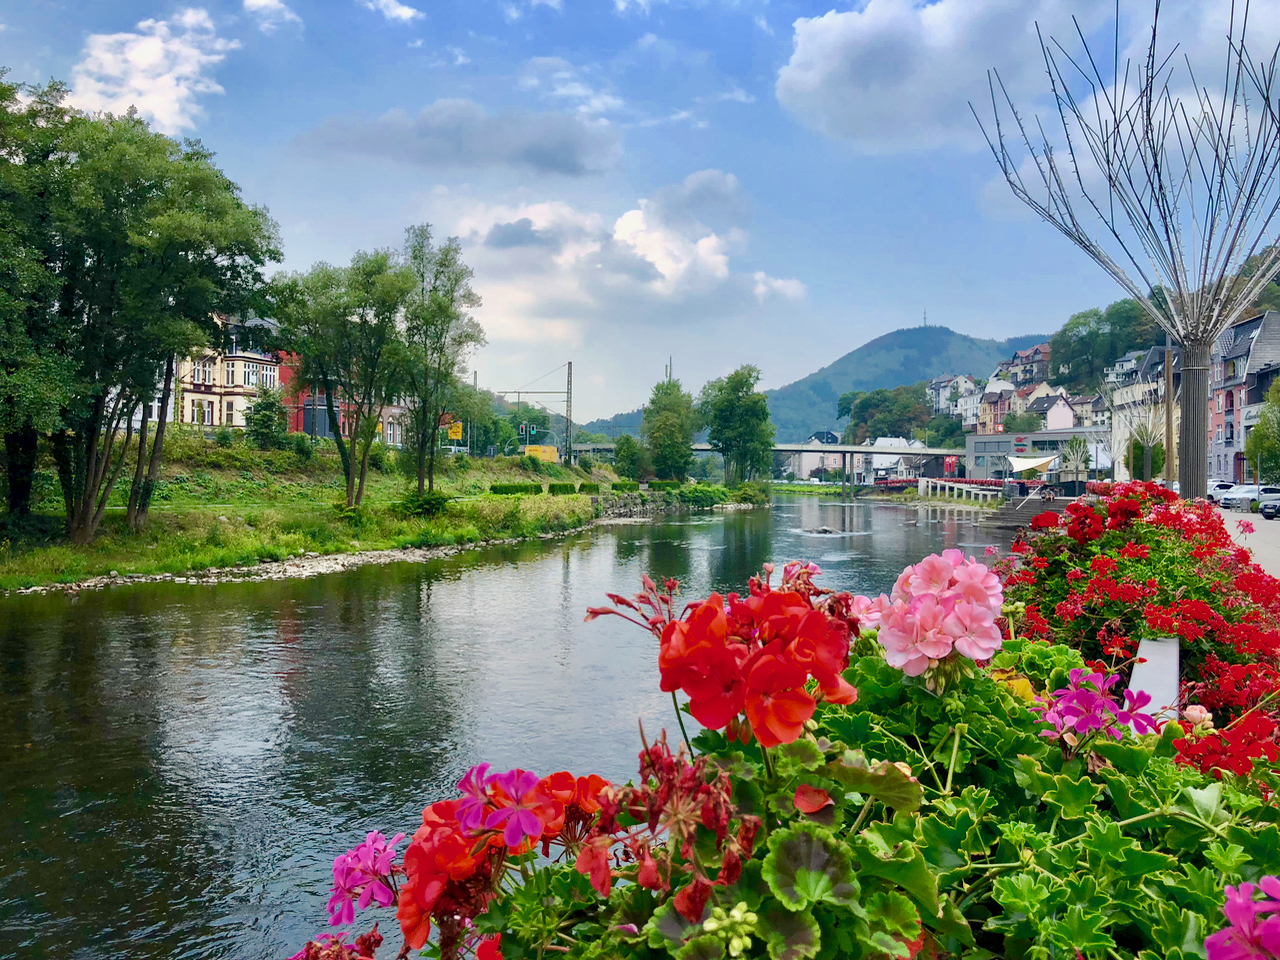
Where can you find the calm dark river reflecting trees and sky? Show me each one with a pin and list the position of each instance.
(181, 764)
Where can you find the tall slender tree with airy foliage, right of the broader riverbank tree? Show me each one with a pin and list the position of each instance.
(440, 335)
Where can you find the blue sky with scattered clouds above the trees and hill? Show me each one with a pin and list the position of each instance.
(724, 181)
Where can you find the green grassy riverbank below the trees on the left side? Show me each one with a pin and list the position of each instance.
(225, 508)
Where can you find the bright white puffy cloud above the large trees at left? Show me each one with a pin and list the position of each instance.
(161, 70)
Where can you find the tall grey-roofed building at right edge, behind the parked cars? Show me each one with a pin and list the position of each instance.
(1245, 363)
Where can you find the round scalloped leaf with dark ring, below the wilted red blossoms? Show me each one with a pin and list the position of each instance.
(808, 866)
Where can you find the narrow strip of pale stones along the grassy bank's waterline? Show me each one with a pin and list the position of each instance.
(307, 565)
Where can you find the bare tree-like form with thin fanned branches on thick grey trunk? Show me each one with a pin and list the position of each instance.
(1168, 191)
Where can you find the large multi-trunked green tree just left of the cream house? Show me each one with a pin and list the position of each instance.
(153, 243)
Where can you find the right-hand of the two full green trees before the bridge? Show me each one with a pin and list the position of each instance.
(740, 429)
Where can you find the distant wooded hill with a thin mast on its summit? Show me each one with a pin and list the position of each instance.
(897, 359)
